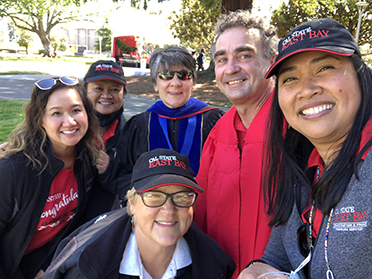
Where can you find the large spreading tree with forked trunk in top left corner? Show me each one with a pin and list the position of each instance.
(39, 16)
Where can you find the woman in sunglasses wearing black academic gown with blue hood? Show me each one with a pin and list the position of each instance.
(176, 121)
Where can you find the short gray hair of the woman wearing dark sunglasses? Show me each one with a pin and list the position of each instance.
(169, 59)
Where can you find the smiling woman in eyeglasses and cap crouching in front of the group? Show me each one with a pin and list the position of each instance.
(154, 237)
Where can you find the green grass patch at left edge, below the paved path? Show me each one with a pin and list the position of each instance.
(11, 113)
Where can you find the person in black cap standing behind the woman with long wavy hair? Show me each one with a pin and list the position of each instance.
(106, 86)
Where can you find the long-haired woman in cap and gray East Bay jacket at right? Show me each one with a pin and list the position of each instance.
(318, 168)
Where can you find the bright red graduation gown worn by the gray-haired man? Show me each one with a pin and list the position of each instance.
(231, 210)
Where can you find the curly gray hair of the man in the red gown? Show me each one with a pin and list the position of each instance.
(245, 19)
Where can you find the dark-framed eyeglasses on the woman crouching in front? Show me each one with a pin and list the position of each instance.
(157, 198)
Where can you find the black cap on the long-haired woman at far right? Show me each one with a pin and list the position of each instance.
(323, 34)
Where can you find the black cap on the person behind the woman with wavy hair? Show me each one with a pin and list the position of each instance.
(105, 69)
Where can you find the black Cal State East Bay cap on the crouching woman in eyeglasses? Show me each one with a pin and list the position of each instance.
(163, 167)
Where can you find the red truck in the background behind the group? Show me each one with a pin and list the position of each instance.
(129, 50)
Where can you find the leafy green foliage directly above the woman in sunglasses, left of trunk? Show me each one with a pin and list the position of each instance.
(193, 24)
